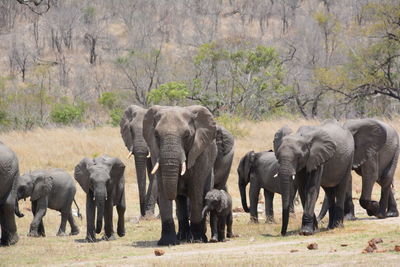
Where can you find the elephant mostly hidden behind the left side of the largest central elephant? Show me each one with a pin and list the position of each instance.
(131, 127)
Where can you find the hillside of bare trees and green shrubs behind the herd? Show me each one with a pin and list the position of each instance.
(82, 62)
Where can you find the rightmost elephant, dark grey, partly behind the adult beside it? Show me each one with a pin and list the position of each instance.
(375, 160)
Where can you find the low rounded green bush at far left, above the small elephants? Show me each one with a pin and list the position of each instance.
(66, 113)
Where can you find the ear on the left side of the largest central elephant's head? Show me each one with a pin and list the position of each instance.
(149, 125)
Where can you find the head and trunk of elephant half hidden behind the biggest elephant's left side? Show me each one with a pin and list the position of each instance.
(131, 127)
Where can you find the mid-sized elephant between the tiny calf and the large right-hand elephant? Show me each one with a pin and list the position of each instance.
(260, 170)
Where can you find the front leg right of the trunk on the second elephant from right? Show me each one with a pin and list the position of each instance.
(312, 185)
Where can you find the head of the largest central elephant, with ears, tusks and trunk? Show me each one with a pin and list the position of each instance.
(177, 136)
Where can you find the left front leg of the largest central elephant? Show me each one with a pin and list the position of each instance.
(168, 233)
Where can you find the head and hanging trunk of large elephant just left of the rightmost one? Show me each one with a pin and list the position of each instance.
(305, 151)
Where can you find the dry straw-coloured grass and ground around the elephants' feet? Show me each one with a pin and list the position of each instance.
(258, 244)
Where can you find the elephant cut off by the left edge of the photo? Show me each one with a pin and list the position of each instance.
(9, 173)
